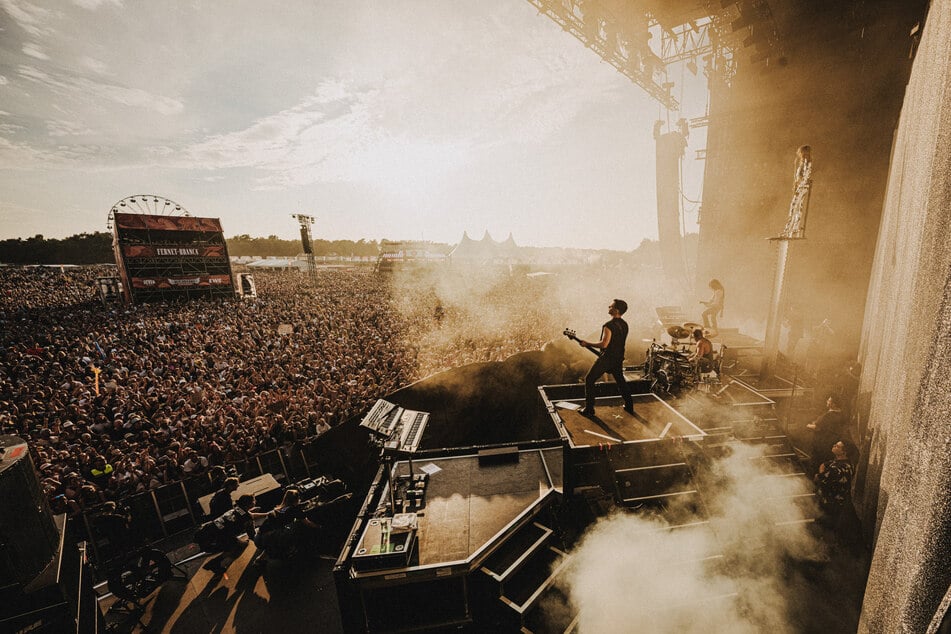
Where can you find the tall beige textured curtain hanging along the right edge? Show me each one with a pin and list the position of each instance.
(903, 489)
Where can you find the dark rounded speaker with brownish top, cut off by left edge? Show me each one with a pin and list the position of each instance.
(29, 539)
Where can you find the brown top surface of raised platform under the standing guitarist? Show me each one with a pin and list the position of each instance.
(653, 420)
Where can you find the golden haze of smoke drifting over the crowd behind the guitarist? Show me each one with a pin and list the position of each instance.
(465, 314)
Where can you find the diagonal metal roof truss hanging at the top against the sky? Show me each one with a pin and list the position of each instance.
(621, 43)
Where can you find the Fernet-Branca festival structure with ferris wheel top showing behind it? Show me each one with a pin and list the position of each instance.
(164, 253)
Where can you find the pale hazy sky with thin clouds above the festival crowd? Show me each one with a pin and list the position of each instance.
(407, 119)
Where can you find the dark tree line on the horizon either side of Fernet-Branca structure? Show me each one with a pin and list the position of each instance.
(96, 248)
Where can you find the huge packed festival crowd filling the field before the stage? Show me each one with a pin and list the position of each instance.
(115, 401)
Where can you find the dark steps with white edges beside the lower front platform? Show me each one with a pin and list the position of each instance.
(518, 583)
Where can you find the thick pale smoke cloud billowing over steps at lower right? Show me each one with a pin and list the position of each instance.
(722, 572)
